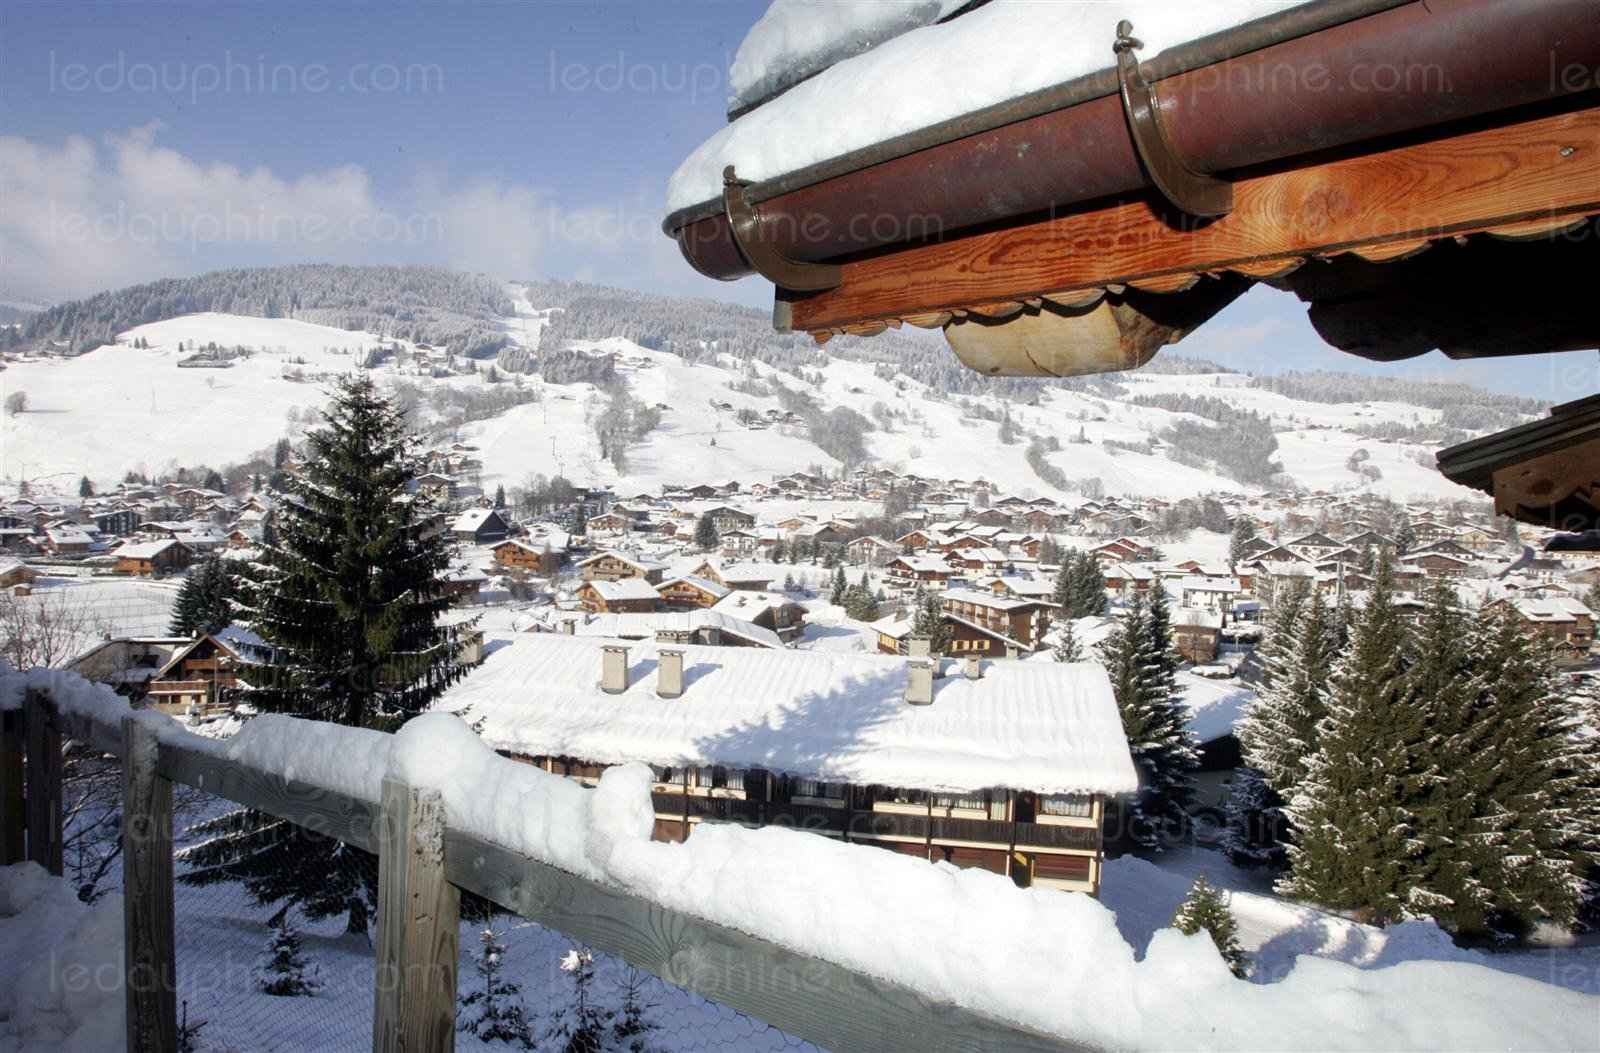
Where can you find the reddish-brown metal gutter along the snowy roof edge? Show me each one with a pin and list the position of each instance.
(1266, 92)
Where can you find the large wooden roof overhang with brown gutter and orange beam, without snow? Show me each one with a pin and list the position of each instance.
(1052, 217)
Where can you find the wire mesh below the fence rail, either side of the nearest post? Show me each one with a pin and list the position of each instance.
(274, 977)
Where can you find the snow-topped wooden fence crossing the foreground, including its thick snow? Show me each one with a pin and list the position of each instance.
(847, 947)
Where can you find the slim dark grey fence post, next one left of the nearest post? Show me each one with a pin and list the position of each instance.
(150, 958)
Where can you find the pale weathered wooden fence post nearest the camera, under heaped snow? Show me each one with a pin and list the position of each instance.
(418, 927)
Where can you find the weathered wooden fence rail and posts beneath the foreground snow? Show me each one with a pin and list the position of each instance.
(425, 865)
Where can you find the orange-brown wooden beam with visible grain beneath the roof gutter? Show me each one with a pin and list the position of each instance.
(1388, 201)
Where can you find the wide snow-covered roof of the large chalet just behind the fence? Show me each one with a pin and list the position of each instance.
(830, 716)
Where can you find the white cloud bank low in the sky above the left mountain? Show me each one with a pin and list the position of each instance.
(82, 217)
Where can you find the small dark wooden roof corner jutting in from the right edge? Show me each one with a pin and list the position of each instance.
(1546, 473)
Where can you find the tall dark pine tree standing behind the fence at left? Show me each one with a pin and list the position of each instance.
(350, 601)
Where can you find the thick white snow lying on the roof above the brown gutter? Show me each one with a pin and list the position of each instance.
(1004, 50)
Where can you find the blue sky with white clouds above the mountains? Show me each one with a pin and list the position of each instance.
(524, 140)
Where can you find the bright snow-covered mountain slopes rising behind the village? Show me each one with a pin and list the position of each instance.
(132, 406)
